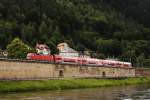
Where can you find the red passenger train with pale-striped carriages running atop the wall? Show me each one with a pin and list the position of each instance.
(78, 60)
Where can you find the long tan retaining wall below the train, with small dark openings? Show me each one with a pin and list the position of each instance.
(32, 70)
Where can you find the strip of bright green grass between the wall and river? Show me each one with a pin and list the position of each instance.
(22, 86)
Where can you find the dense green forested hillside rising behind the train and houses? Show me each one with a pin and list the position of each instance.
(114, 28)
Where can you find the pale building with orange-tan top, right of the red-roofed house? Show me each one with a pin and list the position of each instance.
(65, 50)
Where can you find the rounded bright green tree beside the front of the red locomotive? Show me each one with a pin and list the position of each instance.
(18, 49)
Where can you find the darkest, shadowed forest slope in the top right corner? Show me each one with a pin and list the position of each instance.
(137, 9)
